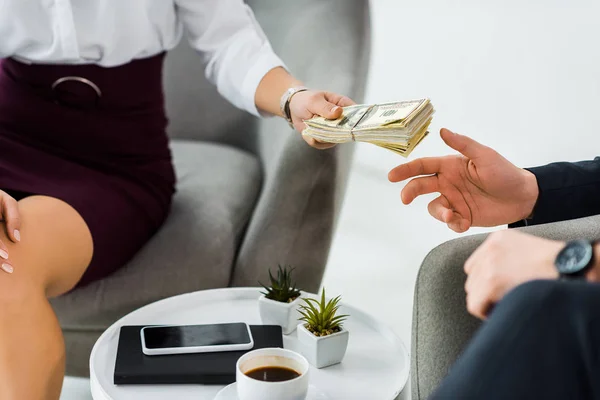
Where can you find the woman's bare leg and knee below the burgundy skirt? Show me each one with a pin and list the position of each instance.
(55, 249)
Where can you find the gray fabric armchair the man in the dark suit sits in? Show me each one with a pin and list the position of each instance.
(441, 325)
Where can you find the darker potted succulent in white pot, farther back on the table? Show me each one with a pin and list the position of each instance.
(279, 305)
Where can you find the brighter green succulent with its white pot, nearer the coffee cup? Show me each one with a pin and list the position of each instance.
(323, 339)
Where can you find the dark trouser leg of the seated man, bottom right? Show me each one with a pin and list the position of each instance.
(542, 341)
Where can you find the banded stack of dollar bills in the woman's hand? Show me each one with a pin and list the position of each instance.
(398, 126)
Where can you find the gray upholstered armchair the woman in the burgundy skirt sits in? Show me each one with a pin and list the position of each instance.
(251, 194)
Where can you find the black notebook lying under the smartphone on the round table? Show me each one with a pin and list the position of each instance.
(134, 367)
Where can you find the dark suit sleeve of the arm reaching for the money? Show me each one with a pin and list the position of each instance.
(567, 191)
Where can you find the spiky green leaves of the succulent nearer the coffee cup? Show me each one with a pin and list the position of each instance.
(320, 316)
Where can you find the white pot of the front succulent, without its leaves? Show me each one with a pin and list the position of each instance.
(322, 351)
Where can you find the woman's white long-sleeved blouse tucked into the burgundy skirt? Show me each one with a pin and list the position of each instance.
(233, 47)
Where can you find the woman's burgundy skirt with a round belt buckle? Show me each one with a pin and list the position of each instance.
(95, 138)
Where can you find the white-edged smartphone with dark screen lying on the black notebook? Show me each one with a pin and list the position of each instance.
(181, 339)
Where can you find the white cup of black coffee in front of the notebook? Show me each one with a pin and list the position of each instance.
(253, 389)
